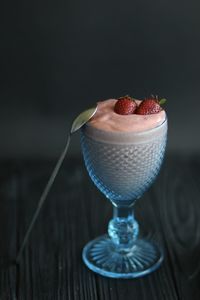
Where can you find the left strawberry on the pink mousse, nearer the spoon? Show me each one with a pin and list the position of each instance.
(125, 105)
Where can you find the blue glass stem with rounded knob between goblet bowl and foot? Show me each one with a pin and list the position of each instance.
(123, 229)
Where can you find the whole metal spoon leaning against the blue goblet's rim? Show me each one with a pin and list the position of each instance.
(80, 120)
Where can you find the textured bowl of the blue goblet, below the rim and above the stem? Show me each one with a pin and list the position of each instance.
(123, 171)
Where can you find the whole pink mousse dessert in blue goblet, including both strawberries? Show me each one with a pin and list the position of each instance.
(123, 147)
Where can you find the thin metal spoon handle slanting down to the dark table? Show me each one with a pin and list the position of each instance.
(43, 198)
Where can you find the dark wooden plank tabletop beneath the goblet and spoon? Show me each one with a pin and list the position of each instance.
(75, 212)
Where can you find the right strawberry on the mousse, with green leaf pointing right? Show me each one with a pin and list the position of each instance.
(150, 106)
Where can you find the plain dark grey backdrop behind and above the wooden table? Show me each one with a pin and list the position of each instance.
(60, 57)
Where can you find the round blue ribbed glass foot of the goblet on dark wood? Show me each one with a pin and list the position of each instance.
(104, 257)
